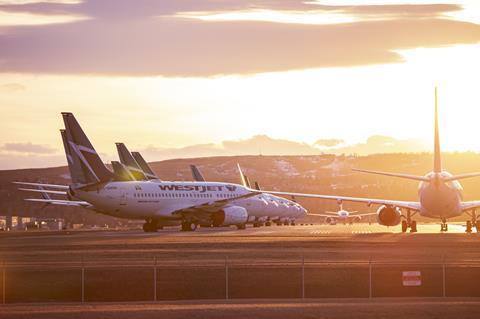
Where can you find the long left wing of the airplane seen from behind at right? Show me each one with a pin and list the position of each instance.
(415, 206)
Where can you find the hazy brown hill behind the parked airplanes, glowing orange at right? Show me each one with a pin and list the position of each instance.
(323, 174)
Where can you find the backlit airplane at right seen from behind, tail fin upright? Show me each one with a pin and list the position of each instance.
(439, 193)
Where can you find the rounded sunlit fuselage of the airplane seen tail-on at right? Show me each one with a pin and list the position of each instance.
(440, 199)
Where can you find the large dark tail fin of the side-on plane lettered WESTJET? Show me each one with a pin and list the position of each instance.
(93, 170)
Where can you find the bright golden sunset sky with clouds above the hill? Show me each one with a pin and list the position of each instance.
(186, 78)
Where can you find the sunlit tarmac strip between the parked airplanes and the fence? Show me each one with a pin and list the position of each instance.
(348, 243)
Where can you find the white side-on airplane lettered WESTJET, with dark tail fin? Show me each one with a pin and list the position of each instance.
(160, 203)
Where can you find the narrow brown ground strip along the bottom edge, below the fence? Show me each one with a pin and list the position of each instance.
(326, 308)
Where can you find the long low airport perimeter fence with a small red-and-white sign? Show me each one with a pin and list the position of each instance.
(155, 279)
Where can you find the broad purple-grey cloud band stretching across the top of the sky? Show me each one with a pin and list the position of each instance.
(144, 38)
